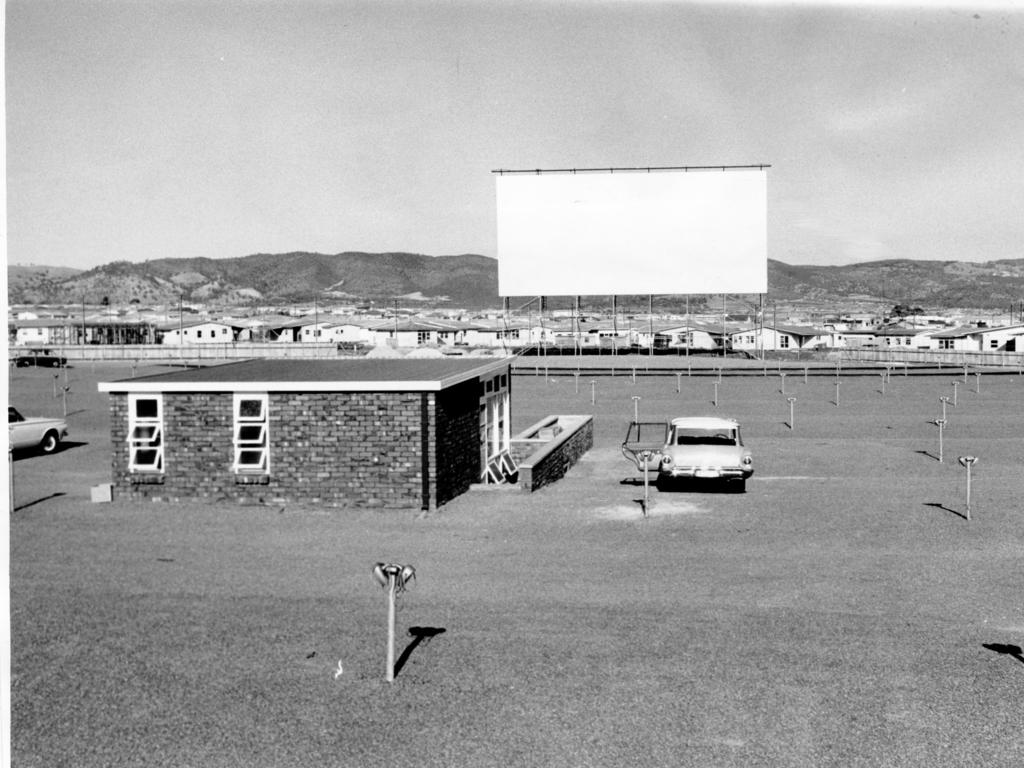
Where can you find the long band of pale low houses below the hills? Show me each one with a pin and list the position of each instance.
(418, 332)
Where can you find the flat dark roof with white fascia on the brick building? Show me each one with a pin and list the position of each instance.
(316, 376)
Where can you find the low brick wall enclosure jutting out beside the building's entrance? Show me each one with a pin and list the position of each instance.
(548, 450)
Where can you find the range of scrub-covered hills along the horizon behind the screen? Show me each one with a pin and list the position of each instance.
(472, 281)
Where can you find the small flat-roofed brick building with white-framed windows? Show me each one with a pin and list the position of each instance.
(377, 434)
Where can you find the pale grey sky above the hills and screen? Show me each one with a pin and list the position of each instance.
(151, 130)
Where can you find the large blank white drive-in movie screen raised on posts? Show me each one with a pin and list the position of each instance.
(604, 234)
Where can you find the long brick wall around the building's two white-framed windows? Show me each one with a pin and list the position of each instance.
(334, 449)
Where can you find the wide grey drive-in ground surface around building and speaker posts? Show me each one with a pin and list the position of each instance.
(841, 613)
